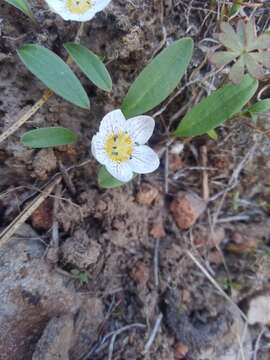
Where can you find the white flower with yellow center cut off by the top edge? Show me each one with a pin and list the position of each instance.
(78, 10)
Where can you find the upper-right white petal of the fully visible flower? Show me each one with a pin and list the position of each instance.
(140, 128)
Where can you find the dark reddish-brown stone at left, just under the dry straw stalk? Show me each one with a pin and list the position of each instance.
(42, 218)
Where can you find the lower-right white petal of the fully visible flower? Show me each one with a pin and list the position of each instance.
(144, 160)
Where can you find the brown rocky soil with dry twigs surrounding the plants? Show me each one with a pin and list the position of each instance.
(174, 265)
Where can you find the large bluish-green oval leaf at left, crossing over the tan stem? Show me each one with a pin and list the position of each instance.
(54, 73)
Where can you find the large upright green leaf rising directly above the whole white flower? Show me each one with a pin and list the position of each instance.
(158, 79)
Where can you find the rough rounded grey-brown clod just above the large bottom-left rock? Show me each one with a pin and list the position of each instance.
(80, 250)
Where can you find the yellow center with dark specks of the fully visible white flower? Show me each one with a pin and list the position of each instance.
(119, 147)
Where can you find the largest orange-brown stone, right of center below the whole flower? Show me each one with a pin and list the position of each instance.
(186, 209)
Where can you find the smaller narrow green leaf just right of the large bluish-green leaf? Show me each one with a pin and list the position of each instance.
(91, 65)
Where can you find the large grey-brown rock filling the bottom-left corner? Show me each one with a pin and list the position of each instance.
(30, 295)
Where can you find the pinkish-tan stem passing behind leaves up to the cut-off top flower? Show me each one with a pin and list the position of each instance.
(45, 97)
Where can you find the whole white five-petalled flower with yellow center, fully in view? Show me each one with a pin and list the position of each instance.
(120, 145)
